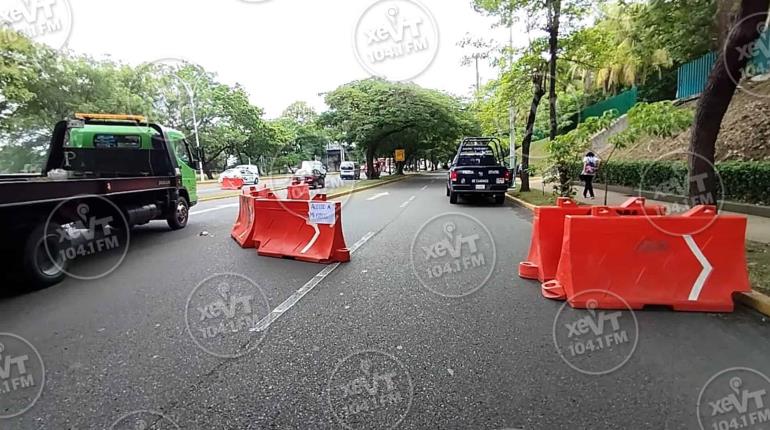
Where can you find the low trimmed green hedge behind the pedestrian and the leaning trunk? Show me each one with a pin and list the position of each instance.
(744, 181)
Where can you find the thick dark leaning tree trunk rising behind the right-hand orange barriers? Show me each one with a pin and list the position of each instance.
(716, 97)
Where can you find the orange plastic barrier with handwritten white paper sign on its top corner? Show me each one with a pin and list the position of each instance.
(284, 229)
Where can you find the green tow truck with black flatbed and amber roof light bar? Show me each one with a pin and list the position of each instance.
(104, 174)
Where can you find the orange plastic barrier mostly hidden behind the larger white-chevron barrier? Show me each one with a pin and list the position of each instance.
(548, 230)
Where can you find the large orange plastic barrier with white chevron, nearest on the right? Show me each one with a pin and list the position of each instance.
(639, 259)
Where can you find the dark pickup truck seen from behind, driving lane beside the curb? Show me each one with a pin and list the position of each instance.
(478, 169)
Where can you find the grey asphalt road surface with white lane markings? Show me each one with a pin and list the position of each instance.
(438, 335)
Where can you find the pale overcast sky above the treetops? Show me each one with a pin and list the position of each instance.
(283, 51)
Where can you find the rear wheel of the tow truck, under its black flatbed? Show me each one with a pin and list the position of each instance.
(40, 269)
